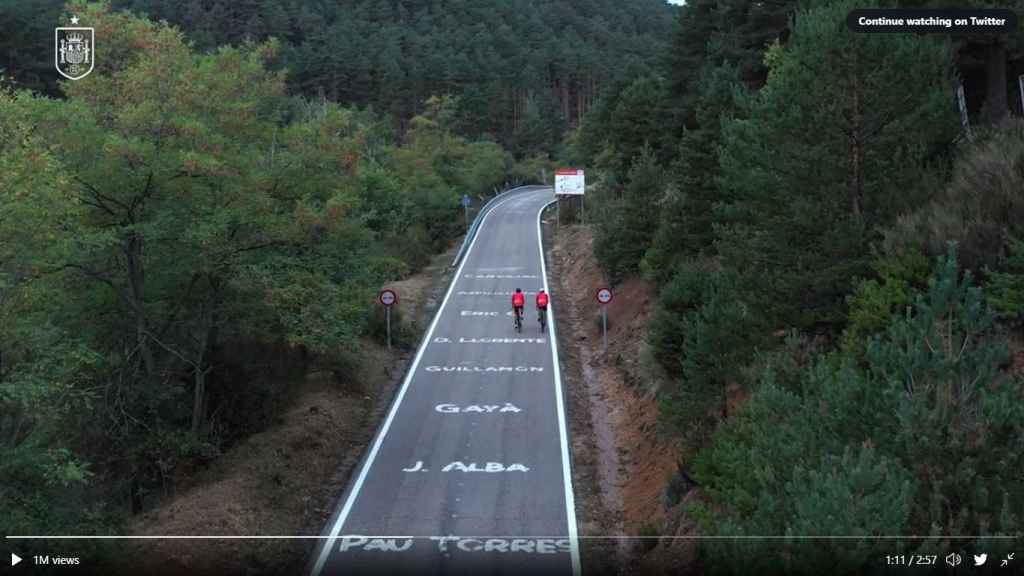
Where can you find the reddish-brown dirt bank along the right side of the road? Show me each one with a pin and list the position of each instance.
(622, 464)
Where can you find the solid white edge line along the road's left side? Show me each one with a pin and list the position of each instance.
(344, 516)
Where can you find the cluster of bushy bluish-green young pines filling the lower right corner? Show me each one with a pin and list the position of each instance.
(923, 441)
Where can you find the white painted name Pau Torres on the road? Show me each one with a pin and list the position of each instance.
(447, 545)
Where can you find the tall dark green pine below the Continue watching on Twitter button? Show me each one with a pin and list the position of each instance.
(832, 146)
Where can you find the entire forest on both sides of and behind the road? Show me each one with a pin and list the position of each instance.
(839, 262)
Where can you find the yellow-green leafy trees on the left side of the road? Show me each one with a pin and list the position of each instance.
(184, 234)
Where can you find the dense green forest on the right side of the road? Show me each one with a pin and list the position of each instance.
(841, 276)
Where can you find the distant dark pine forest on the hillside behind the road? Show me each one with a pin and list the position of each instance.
(523, 70)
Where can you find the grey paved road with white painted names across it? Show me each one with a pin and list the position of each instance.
(471, 473)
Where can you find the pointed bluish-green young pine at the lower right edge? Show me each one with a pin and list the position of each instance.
(956, 417)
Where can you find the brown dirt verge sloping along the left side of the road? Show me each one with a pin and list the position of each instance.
(286, 480)
